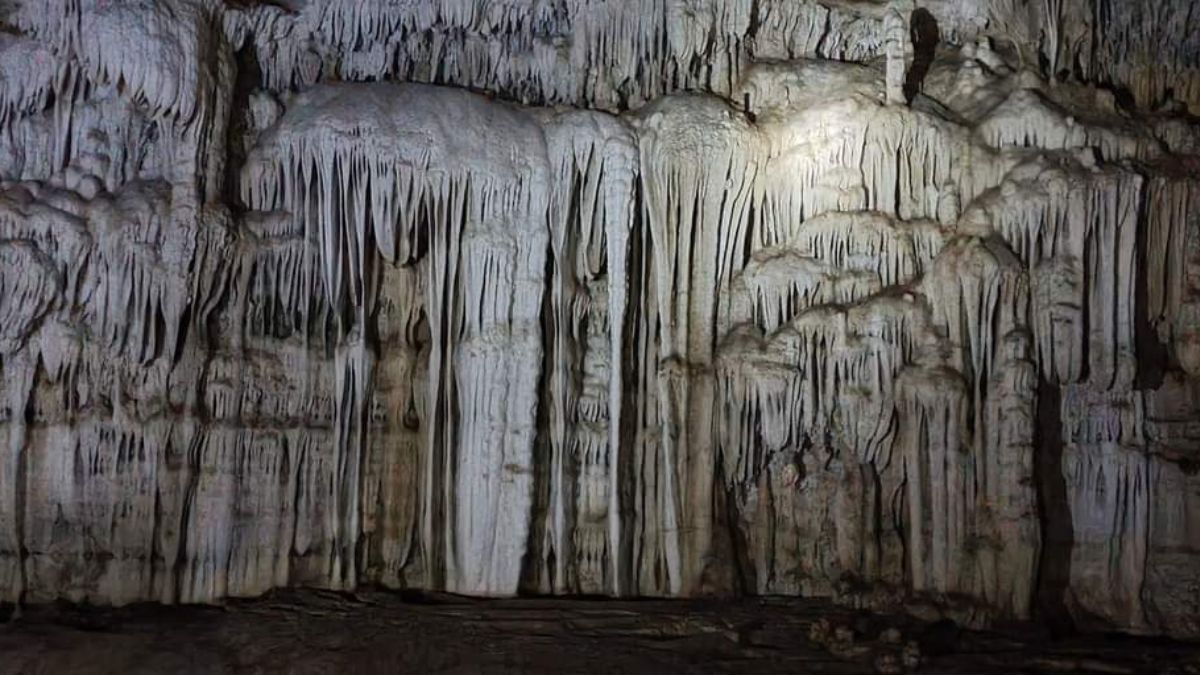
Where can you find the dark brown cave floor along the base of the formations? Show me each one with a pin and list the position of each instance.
(383, 632)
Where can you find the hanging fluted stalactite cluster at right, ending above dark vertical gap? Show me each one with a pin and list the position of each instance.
(1075, 225)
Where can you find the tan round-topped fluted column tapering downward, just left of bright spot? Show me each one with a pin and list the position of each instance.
(698, 166)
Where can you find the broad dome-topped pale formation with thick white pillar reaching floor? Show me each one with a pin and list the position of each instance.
(484, 286)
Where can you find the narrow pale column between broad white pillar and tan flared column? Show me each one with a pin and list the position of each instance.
(591, 222)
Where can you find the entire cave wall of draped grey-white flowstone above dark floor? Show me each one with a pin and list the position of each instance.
(897, 303)
